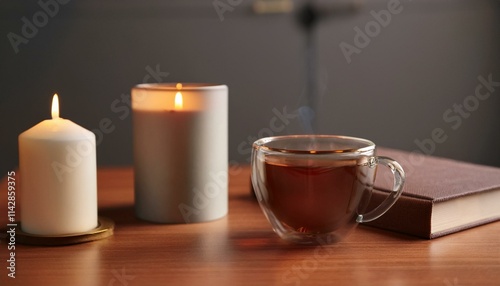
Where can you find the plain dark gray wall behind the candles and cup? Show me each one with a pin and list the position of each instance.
(395, 91)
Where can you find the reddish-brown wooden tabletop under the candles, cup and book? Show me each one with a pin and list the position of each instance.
(242, 249)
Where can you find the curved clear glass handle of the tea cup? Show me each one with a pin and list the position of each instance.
(397, 189)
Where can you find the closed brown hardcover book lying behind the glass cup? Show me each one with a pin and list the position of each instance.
(440, 196)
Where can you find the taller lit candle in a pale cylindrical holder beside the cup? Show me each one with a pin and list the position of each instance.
(180, 152)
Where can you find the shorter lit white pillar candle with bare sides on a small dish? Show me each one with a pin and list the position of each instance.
(57, 163)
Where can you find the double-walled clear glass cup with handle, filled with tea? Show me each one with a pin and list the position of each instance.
(314, 189)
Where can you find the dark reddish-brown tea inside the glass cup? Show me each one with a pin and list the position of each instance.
(318, 199)
